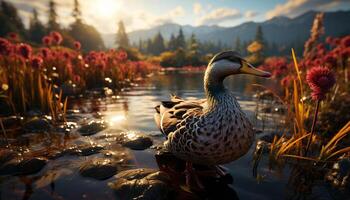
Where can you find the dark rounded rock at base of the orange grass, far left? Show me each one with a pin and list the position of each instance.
(37, 125)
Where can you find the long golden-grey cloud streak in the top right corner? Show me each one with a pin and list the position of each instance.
(293, 8)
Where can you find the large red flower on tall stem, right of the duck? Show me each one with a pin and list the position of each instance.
(320, 80)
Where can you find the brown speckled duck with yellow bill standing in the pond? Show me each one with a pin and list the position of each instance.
(213, 130)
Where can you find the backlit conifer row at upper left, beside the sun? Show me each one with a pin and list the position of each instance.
(77, 31)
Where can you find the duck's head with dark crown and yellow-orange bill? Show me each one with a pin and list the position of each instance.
(229, 63)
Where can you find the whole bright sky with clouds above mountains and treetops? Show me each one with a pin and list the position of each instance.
(144, 14)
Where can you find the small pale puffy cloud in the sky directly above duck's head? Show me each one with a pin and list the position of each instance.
(218, 16)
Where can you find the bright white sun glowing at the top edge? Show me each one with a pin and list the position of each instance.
(105, 8)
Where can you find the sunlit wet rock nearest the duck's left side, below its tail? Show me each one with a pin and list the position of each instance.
(136, 141)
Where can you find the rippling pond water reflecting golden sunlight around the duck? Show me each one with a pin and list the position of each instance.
(130, 112)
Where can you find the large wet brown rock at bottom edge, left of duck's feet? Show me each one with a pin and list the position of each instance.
(142, 184)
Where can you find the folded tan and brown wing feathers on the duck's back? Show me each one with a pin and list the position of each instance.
(170, 113)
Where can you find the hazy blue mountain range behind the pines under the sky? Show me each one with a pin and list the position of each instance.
(279, 30)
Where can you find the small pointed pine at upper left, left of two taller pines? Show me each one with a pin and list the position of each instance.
(36, 28)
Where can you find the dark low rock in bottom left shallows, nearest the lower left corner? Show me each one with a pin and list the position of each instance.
(31, 166)
